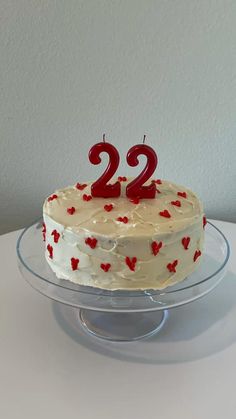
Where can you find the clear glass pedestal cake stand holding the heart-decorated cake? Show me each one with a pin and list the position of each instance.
(121, 315)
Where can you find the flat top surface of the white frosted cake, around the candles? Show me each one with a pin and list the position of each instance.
(173, 208)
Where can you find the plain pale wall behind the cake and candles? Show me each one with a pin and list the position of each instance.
(71, 70)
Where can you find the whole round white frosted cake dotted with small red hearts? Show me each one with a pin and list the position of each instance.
(117, 243)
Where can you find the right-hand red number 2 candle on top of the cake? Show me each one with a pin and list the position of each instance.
(135, 188)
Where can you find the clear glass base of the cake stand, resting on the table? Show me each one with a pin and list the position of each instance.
(122, 327)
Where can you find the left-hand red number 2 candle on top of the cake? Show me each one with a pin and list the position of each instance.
(100, 188)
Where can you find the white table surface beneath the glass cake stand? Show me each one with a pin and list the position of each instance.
(48, 370)
